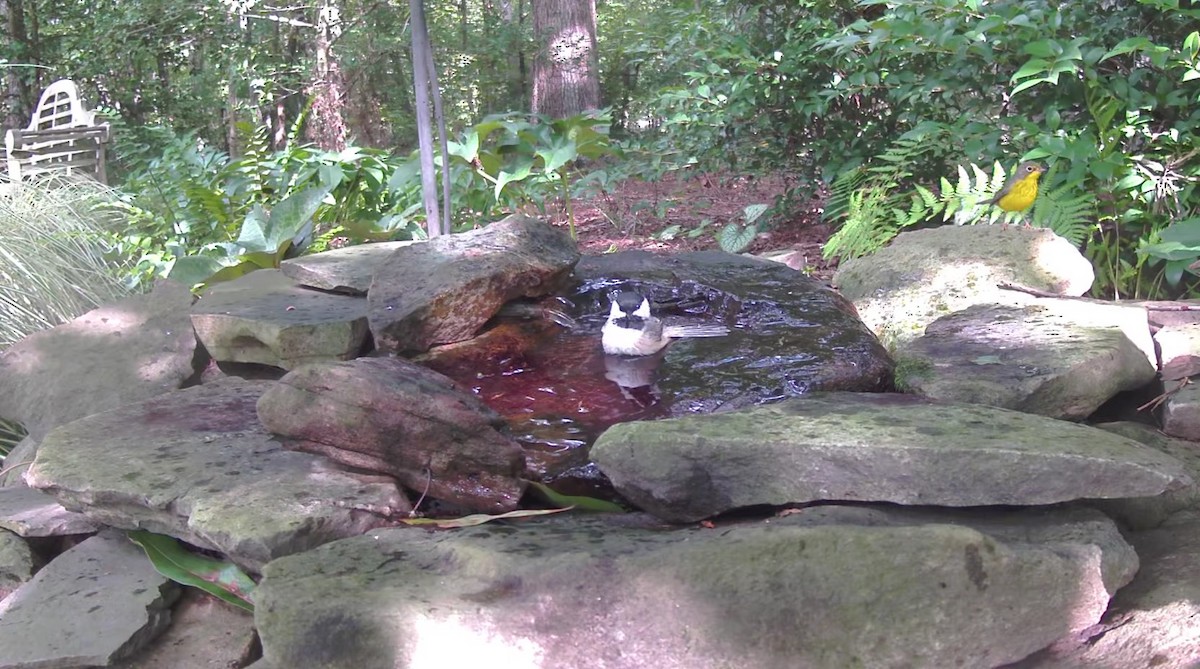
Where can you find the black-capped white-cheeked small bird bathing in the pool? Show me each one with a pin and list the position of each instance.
(633, 330)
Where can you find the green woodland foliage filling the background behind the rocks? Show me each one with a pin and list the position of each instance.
(909, 113)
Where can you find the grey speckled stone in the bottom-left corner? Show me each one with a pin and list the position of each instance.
(94, 605)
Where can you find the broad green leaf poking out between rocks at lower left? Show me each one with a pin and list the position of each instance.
(215, 577)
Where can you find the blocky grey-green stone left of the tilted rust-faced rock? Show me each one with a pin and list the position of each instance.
(266, 318)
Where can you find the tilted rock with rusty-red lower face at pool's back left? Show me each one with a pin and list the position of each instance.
(445, 291)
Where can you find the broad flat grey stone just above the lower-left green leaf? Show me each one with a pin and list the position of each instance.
(197, 466)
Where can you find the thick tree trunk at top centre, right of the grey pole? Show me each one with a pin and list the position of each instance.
(566, 79)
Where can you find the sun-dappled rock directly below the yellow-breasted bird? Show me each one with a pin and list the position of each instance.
(926, 275)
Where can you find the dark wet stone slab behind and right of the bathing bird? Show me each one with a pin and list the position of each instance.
(790, 334)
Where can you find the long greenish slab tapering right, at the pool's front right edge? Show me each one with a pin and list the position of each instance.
(873, 448)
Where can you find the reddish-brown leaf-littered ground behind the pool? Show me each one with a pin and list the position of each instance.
(644, 215)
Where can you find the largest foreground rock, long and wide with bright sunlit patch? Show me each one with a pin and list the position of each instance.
(827, 588)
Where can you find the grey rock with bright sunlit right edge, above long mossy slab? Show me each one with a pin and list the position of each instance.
(1057, 358)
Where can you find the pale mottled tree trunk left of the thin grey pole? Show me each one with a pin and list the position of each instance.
(327, 126)
